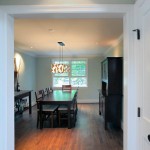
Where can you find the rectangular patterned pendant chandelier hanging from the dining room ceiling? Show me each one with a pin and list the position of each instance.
(60, 67)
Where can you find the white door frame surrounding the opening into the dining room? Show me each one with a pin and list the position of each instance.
(7, 14)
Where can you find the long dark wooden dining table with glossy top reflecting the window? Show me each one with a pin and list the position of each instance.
(57, 97)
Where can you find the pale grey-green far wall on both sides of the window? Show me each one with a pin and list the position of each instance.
(89, 94)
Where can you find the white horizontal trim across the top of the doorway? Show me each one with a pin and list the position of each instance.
(90, 8)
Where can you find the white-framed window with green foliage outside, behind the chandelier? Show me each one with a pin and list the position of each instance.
(76, 77)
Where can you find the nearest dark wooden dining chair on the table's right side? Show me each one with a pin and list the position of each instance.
(63, 111)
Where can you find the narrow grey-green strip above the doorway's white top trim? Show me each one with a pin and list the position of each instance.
(60, 2)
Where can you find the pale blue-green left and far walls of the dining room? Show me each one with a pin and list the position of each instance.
(36, 74)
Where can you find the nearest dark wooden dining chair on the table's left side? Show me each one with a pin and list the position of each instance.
(47, 111)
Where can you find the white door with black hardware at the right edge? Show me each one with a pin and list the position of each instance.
(144, 11)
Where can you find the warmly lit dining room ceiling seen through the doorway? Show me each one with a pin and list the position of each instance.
(82, 37)
